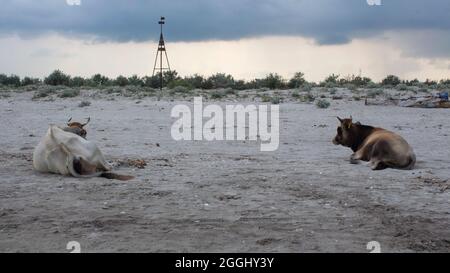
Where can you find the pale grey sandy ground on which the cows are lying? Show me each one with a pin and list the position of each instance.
(223, 196)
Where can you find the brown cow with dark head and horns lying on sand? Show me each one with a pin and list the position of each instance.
(383, 149)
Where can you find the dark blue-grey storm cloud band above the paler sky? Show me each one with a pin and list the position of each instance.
(327, 21)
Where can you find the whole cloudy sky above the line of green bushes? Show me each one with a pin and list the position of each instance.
(246, 38)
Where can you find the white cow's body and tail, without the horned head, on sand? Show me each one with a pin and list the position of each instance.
(67, 153)
